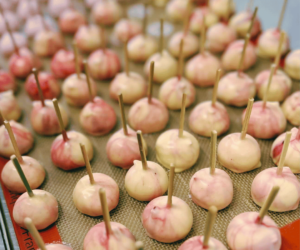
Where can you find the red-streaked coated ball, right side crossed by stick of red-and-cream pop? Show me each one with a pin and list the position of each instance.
(44, 120)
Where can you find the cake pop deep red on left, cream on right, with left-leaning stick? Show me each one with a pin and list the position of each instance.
(65, 147)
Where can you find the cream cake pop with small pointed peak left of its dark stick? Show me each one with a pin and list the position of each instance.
(145, 180)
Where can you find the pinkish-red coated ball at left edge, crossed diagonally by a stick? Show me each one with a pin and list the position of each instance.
(22, 135)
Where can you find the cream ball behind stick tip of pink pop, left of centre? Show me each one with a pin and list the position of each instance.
(133, 87)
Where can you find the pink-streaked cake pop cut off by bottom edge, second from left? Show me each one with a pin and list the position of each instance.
(107, 234)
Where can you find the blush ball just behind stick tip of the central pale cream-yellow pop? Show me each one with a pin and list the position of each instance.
(171, 91)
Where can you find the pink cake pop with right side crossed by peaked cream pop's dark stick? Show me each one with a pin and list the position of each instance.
(122, 147)
